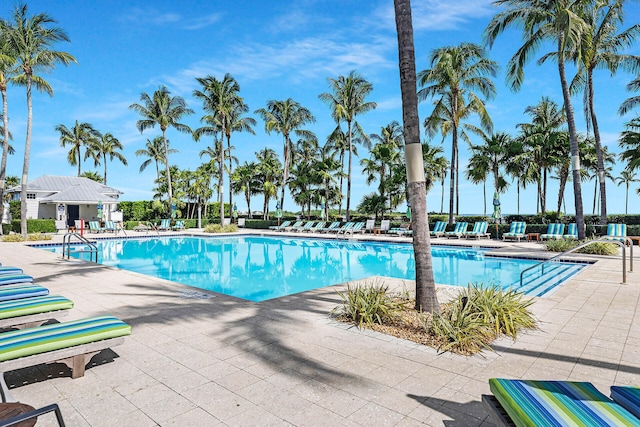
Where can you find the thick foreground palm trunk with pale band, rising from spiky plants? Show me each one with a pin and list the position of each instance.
(426, 297)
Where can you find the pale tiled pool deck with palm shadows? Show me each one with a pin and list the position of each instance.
(203, 359)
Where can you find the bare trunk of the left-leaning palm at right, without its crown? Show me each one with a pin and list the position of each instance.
(573, 138)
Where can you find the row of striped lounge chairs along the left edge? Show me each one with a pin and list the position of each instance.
(25, 306)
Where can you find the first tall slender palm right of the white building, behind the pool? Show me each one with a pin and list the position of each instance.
(165, 111)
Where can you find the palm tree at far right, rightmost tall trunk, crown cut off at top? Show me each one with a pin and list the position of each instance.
(600, 48)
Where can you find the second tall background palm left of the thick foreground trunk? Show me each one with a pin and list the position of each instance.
(286, 117)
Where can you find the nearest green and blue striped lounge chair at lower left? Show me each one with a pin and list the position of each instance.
(72, 343)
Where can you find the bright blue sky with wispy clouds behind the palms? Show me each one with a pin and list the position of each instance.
(278, 50)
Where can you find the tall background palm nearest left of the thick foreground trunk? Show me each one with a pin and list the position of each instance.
(347, 101)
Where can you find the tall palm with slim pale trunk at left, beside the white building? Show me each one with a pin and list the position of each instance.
(31, 39)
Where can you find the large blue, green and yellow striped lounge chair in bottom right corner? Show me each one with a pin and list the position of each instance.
(553, 403)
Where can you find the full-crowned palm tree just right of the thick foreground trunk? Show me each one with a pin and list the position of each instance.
(456, 73)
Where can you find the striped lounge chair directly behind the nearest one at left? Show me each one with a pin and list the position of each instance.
(30, 312)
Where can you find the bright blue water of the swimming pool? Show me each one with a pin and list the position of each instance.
(261, 268)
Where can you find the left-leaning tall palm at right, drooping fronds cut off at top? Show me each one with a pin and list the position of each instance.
(557, 21)
